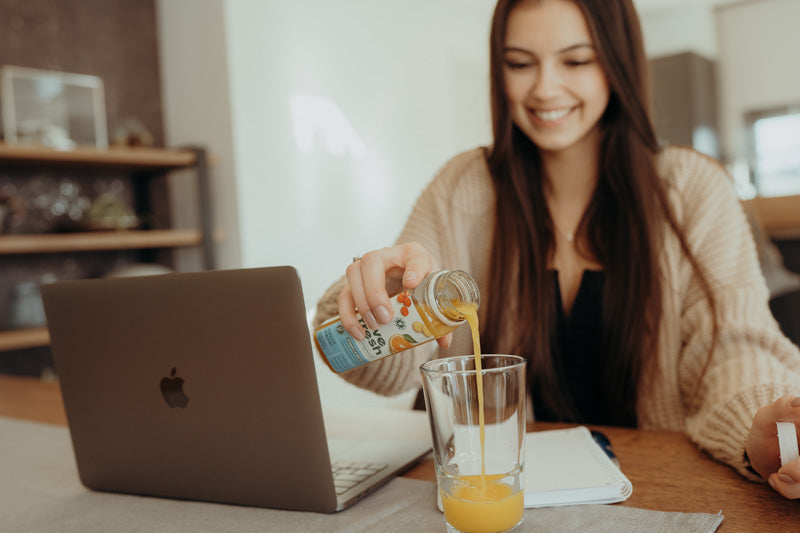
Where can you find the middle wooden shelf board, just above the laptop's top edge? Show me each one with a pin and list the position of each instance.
(98, 240)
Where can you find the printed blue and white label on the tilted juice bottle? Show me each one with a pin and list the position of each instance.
(405, 331)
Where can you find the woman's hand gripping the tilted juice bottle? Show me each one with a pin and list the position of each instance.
(404, 265)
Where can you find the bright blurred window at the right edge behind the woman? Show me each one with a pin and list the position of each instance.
(775, 145)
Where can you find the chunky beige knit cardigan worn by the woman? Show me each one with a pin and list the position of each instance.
(753, 363)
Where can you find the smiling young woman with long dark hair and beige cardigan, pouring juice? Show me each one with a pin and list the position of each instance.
(624, 272)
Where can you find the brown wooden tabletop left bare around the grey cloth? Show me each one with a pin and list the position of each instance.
(668, 472)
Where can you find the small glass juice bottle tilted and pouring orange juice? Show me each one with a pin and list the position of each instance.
(430, 311)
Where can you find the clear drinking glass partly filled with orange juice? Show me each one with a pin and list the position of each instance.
(478, 472)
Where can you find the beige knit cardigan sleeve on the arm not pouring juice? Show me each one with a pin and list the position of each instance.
(752, 363)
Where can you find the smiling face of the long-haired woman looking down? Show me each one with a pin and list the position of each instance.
(554, 84)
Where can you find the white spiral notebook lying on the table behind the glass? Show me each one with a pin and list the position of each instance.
(567, 467)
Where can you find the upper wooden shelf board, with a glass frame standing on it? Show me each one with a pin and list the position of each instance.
(124, 158)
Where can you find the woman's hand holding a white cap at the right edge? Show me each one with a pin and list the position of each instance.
(762, 446)
